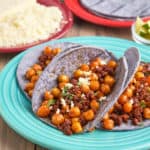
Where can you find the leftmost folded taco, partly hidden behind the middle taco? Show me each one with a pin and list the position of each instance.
(34, 62)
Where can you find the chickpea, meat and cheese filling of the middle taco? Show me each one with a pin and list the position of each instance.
(75, 100)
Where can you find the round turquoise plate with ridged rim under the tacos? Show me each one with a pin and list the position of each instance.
(16, 109)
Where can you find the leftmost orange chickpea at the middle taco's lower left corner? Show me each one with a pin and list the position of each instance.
(43, 111)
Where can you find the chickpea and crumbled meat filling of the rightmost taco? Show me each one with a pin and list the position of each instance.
(133, 104)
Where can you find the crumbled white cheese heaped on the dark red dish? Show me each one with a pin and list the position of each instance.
(28, 24)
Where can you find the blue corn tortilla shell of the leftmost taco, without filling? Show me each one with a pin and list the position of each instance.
(31, 58)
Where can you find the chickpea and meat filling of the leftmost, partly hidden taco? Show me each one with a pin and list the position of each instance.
(33, 73)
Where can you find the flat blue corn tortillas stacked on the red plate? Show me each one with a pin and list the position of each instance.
(119, 9)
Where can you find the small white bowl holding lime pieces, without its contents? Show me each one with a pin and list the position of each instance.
(137, 38)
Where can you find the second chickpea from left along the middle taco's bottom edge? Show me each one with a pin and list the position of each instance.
(57, 119)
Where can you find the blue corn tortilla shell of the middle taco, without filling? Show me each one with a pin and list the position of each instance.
(66, 63)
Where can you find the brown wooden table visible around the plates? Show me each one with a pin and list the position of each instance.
(9, 140)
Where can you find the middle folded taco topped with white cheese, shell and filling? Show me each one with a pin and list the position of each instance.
(68, 93)
